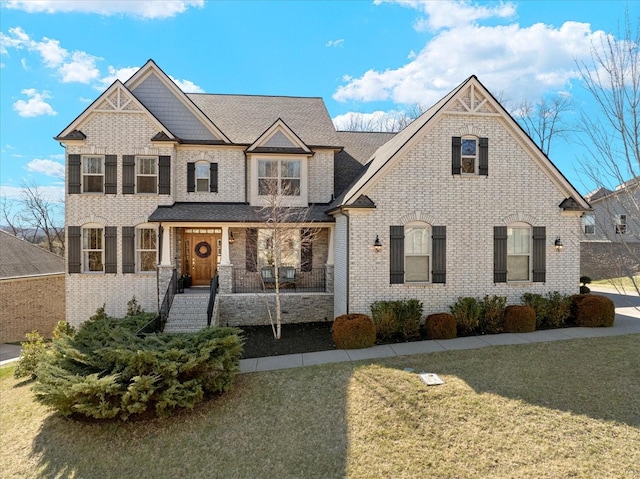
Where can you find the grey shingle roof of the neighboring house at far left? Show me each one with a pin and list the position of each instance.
(21, 258)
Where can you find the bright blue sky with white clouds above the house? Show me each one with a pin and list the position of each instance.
(57, 56)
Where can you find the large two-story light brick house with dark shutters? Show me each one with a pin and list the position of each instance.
(460, 203)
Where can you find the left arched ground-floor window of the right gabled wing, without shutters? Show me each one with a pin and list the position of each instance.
(417, 253)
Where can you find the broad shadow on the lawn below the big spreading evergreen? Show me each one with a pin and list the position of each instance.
(260, 429)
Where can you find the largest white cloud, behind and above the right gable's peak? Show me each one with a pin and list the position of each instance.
(517, 61)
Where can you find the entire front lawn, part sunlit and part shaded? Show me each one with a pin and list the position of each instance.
(547, 410)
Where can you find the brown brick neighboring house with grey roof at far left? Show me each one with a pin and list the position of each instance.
(31, 289)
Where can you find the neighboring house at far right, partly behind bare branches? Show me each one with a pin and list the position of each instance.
(610, 240)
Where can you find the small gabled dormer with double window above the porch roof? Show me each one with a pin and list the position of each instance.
(278, 166)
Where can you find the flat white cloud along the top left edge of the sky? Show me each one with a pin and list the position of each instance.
(147, 9)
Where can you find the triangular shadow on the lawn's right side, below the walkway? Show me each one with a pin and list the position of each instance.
(596, 377)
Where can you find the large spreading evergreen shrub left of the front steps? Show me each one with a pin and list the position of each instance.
(105, 371)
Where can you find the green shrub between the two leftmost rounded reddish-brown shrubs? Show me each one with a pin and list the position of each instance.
(397, 318)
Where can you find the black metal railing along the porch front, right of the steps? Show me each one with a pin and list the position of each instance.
(313, 281)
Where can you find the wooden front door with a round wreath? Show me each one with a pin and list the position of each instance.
(201, 254)
